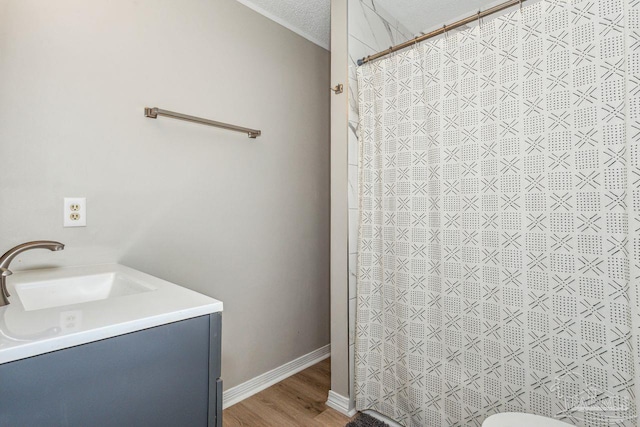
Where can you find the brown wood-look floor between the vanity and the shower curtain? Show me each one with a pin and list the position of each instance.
(297, 401)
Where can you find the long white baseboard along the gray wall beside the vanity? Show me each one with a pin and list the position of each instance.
(259, 383)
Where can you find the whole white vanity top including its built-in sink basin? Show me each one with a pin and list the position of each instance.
(56, 308)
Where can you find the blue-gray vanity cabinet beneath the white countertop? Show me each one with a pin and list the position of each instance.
(167, 375)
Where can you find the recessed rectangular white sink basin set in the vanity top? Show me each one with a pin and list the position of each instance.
(42, 294)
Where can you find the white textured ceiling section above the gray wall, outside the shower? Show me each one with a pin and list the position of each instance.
(309, 18)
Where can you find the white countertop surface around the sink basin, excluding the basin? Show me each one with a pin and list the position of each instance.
(26, 333)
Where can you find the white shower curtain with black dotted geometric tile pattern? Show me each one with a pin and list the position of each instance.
(499, 197)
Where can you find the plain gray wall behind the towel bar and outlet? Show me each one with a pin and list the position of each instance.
(245, 221)
